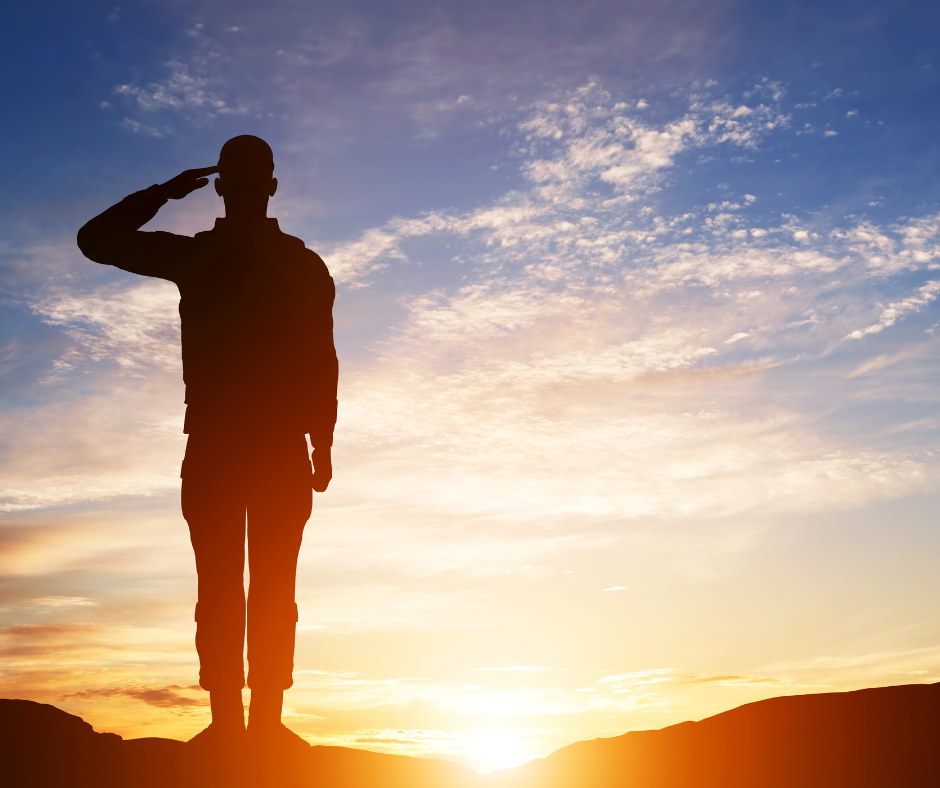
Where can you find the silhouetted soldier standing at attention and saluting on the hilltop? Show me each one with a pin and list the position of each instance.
(260, 372)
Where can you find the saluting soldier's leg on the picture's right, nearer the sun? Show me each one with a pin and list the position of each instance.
(278, 508)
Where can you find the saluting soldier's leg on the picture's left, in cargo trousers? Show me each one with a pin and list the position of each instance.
(214, 507)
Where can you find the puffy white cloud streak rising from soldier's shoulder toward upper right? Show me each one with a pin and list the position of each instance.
(568, 145)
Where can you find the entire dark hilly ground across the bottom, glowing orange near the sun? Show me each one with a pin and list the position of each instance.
(875, 738)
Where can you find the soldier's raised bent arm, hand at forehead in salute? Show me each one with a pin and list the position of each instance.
(114, 236)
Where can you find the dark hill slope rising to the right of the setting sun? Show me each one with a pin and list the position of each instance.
(873, 738)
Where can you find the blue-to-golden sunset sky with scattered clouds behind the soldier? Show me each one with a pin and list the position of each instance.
(638, 318)
